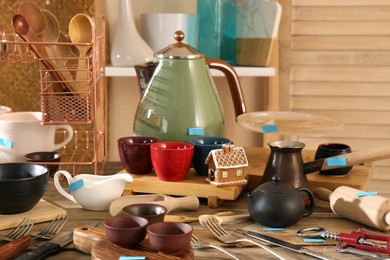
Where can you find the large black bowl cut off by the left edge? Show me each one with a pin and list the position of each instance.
(21, 186)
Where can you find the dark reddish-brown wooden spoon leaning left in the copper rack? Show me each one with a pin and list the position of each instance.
(22, 28)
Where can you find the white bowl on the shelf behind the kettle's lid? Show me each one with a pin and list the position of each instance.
(158, 28)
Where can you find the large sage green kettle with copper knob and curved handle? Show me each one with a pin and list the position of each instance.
(181, 101)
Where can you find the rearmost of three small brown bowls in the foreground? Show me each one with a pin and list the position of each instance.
(154, 213)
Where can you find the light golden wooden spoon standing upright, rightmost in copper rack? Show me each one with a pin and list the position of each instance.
(80, 33)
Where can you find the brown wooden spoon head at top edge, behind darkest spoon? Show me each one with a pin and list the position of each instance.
(34, 16)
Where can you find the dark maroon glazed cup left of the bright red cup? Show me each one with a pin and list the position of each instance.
(134, 153)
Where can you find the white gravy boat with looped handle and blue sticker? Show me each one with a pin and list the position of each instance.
(93, 192)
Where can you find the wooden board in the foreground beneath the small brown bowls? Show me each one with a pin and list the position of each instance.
(93, 241)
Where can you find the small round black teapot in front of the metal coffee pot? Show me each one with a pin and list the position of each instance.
(276, 204)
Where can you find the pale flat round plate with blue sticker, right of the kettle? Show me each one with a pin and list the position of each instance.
(288, 122)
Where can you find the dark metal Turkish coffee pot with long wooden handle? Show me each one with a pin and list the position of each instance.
(286, 162)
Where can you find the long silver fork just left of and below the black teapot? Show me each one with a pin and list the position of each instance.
(212, 224)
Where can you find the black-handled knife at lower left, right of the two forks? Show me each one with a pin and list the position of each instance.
(49, 248)
